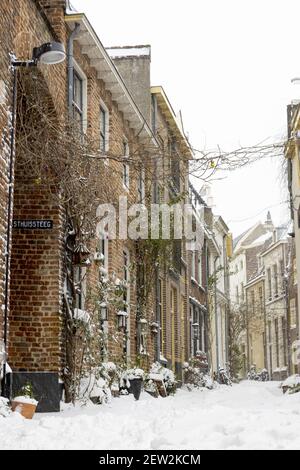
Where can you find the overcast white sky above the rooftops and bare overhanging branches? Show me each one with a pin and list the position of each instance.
(227, 64)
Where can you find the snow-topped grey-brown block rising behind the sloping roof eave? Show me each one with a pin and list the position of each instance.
(133, 64)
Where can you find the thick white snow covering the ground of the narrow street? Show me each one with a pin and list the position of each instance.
(250, 415)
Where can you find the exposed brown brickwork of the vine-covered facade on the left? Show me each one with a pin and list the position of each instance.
(36, 316)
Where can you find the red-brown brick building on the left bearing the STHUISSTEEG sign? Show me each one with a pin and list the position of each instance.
(126, 126)
